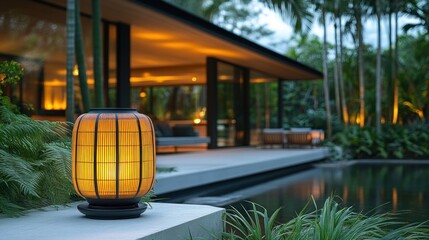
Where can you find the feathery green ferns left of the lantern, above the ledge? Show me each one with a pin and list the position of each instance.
(35, 167)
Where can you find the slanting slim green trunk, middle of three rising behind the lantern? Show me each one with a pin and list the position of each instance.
(80, 60)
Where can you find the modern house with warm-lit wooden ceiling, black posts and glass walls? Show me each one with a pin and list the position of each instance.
(159, 59)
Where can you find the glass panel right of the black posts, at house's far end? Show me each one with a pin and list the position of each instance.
(263, 104)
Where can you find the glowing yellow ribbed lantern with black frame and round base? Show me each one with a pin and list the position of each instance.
(113, 162)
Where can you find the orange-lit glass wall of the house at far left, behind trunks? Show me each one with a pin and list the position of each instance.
(34, 34)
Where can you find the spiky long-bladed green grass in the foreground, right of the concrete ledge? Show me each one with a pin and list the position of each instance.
(331, 222)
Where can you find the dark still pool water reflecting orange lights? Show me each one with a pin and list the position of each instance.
(365, 187)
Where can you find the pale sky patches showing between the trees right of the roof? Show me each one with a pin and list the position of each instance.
(283, 31)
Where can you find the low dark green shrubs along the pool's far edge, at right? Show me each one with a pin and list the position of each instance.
(395, 141)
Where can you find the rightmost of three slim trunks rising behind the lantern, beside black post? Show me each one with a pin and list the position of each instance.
(97, 52)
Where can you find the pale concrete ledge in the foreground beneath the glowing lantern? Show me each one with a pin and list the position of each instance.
(162, 221)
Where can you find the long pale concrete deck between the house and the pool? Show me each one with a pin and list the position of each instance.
(201, 168)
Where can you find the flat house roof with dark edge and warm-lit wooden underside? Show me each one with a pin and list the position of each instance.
(166, 37)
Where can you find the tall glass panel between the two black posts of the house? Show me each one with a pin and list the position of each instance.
(230, 99)
